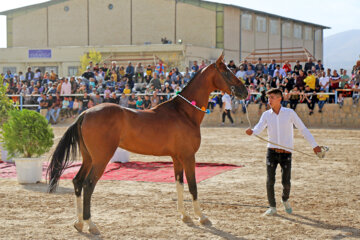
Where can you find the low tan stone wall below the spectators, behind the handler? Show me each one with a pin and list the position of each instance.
(332, 116)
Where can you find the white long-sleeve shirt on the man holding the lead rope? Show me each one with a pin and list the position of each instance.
(280, 128)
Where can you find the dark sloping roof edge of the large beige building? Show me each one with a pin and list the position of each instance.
(53, 2)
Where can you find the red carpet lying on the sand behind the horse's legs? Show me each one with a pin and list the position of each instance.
(134, 171)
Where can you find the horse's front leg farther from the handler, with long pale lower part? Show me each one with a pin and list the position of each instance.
(179, 178)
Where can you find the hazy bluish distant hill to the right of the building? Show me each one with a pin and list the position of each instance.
(342, 50)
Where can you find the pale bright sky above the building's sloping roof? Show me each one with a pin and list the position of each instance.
(339, 15)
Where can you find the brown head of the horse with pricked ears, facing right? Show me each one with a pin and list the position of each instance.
(227, 81)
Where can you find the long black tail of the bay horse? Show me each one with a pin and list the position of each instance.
(64, 154)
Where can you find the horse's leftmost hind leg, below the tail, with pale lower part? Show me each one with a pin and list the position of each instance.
(78, 185)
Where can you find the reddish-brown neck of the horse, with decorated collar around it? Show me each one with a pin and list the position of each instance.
(199, 91)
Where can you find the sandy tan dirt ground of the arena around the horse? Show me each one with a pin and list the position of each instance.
(325, 196)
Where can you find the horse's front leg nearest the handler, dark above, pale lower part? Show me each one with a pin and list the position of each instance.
(189, 164)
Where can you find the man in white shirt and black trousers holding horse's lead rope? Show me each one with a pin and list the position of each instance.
(279, 122)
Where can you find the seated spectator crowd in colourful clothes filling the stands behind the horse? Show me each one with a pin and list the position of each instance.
(143, 87)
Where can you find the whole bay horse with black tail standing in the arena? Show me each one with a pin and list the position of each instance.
(174, 124)
